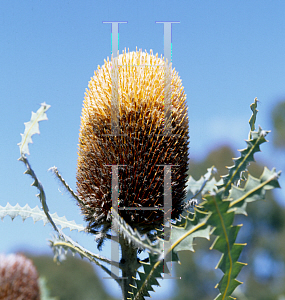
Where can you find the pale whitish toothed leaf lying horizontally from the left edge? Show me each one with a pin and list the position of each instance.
(37, 214)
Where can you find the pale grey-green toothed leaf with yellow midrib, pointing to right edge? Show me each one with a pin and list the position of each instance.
(254, 189)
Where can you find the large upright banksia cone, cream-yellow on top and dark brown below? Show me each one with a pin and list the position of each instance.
(140, 144)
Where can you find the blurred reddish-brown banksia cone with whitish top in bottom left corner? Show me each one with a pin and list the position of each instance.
(18, 278)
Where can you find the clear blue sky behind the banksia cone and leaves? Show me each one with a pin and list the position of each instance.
(226, 52)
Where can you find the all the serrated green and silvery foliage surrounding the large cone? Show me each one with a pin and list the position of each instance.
(210, 210)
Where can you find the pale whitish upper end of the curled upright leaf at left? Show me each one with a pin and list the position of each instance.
(32, 127)
